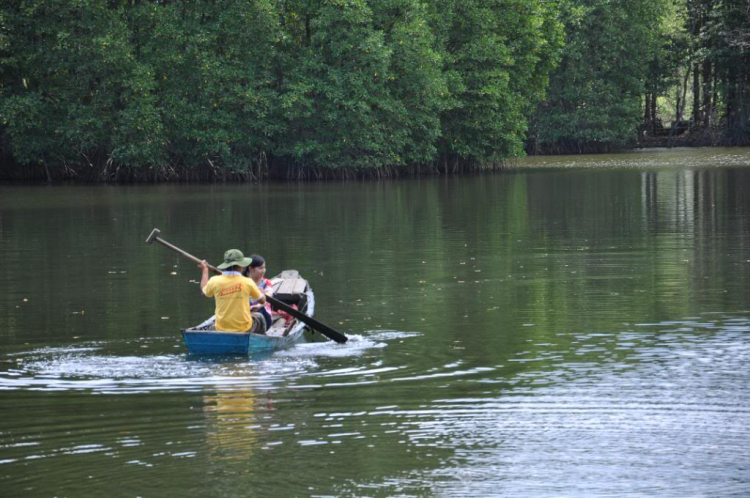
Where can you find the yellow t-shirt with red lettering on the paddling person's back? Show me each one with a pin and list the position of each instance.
(232, 294)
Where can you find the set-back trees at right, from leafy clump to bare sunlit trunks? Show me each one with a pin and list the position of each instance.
(625, 75)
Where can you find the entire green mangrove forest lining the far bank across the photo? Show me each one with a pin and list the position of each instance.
(250, 90)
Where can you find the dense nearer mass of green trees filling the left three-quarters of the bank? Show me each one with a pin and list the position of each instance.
(238, 89)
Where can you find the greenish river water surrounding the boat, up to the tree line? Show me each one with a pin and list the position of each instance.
(576, 326)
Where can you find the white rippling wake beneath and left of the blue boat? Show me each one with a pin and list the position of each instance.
(112, 366)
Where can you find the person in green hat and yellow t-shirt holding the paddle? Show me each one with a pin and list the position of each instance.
(232, 292)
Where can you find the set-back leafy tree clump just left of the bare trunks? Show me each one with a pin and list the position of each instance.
(594, 99)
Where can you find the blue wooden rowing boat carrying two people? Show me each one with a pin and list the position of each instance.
(288, 287)
